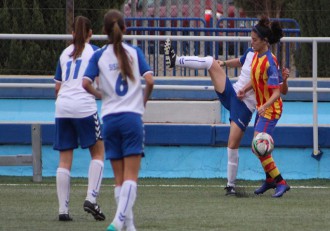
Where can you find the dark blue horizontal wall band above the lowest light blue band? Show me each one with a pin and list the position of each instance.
(183, 135)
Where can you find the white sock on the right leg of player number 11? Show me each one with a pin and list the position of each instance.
(95, 174)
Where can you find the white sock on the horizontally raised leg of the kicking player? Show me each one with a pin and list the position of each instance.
(194, 62)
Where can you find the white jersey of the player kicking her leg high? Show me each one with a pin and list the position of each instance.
(244, 78)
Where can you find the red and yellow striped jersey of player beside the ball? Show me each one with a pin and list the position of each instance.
(265, 77)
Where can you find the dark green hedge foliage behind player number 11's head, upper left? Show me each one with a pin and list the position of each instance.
(30, 57)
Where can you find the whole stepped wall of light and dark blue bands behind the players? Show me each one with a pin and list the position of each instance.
(175, 150)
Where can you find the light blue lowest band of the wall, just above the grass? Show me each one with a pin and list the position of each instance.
(185, 161)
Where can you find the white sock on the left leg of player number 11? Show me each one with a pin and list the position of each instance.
(63, 189)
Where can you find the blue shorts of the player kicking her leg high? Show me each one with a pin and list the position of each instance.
(239, 112)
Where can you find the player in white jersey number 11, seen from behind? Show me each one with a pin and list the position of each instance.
(76, 119)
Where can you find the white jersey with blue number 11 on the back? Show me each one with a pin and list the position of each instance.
(73, 101)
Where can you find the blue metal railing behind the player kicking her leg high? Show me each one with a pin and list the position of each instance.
(198, 26)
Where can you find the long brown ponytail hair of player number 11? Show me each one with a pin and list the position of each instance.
(81, 27)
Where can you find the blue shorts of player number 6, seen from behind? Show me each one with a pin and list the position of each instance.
(123, 135)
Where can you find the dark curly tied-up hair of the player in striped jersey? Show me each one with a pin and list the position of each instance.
(270, 31)
